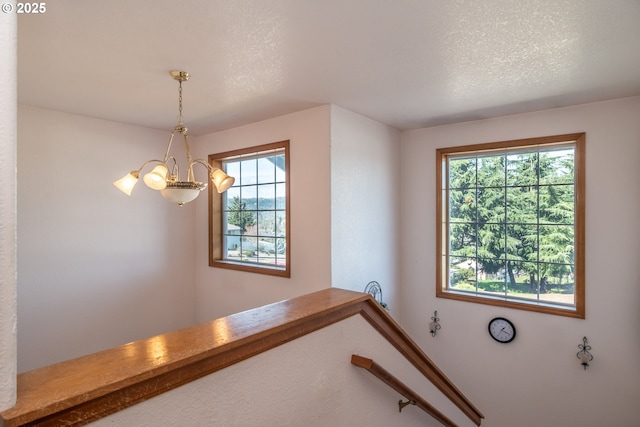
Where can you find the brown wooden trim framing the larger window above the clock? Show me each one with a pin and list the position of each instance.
(580, 179)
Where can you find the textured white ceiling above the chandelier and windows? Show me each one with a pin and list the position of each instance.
(406, 63)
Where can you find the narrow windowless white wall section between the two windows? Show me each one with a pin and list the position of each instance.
(365, 176)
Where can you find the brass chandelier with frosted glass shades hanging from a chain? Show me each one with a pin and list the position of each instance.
(165, 176)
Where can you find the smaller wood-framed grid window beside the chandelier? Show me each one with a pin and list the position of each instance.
(249, 223)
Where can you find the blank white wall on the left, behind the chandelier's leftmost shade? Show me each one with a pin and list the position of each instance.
(95, 268)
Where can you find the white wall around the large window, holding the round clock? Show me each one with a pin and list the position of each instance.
(537, 380)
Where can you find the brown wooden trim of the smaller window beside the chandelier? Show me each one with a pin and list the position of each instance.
(216, 215)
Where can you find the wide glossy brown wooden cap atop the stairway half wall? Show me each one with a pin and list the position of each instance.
(78, 391)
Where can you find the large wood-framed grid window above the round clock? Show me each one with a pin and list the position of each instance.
(511, 224)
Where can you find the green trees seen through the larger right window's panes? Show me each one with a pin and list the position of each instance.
(513, 216)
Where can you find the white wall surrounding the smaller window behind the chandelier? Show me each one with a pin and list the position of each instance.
(221, 292)
